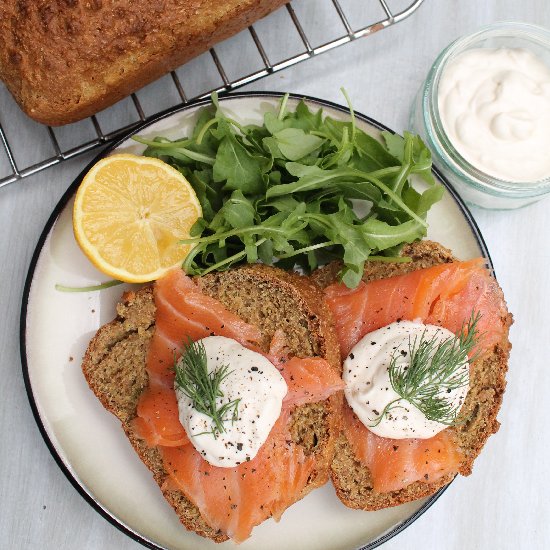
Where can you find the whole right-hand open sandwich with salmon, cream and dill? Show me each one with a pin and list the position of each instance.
(425, 351)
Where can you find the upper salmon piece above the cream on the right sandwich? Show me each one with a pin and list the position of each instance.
(444, 295)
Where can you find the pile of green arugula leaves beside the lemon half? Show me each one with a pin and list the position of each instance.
(299, 190)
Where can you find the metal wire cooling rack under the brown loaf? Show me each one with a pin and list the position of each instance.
(310, 27)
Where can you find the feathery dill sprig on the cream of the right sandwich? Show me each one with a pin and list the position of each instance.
(434, 371)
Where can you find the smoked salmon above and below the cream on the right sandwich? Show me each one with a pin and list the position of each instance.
(445, 295)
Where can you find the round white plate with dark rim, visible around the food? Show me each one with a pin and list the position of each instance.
(88, 443)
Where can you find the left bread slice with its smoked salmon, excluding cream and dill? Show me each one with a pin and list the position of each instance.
(129, 365)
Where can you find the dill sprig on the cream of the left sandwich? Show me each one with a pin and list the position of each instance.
(203, 387)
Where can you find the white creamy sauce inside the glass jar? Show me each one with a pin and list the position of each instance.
(495, 108)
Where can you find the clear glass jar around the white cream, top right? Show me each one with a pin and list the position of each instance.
(477, 187)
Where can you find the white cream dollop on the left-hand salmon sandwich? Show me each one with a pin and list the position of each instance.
(260, 387)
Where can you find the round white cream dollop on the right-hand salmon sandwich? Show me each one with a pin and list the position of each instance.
(368, 388)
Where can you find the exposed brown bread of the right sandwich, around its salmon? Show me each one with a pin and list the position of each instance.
(352, 480)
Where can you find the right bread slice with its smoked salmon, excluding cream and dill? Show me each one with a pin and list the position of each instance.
(369, 471)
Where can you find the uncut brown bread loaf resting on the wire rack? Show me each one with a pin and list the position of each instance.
(65, 60)
